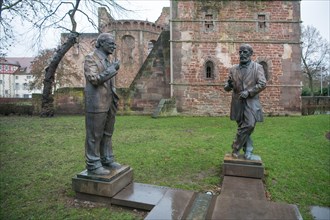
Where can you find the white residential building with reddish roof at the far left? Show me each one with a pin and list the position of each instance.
(15, 77)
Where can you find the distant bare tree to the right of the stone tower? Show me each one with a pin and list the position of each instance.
(315, 54)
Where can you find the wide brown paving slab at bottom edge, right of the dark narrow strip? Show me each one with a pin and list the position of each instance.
(247, 209)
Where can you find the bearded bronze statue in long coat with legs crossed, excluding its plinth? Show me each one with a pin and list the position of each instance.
(246, 80)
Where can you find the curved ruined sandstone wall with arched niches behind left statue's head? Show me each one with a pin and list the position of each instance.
(133, 39)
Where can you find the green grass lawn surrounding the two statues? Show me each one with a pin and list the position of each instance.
(40, 156)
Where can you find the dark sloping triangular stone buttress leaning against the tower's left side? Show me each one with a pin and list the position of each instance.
(151, 84)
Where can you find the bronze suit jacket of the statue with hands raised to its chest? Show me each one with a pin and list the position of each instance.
(100, 93)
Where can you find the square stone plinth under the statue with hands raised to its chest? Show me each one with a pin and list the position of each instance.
(102, 187)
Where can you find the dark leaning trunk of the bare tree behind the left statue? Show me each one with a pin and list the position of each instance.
(47, 105)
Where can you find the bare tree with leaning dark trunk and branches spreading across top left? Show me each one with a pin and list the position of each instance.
(46, 14)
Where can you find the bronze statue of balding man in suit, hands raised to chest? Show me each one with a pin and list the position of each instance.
(101, 103)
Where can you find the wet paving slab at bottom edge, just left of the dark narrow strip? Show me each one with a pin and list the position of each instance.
(174, 205)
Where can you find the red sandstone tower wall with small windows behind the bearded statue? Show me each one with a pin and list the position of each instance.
(235, 22)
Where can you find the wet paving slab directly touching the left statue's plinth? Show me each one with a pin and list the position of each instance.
(139, 196)
